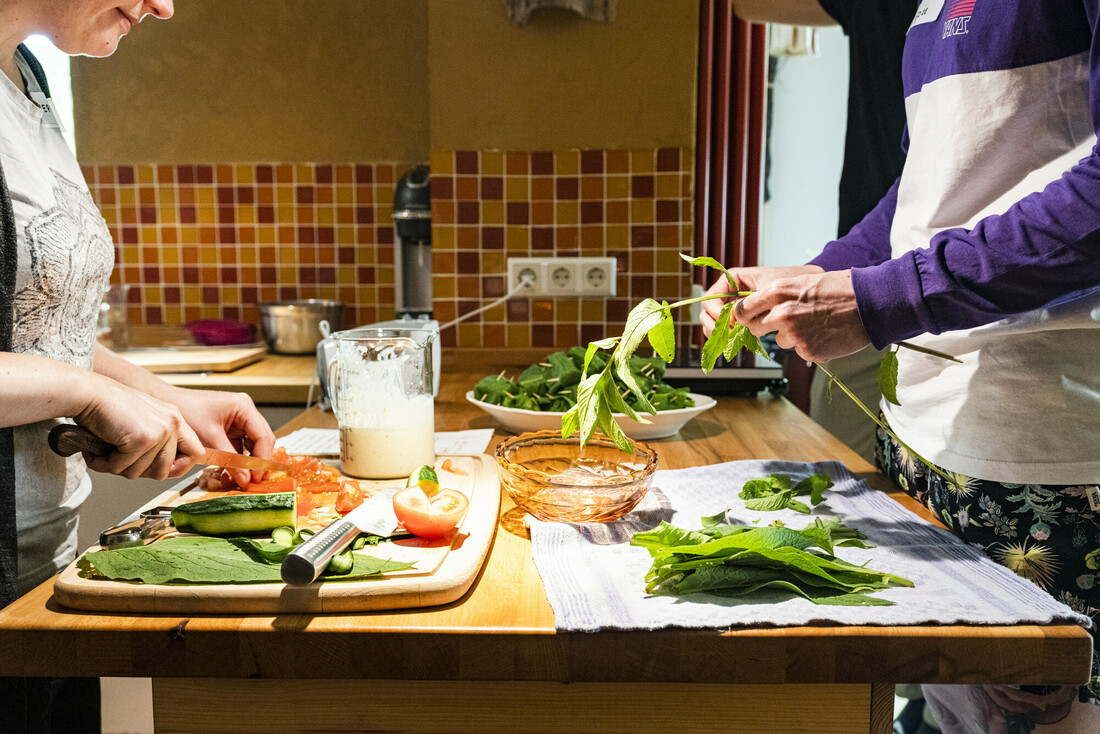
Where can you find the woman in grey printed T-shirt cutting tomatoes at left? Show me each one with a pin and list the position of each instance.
(58, 257)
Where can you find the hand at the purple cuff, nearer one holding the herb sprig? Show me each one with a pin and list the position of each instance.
(815, 314)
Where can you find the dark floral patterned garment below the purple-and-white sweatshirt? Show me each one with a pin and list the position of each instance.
(1048, 534)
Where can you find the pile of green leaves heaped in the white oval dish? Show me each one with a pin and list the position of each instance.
(553, 385)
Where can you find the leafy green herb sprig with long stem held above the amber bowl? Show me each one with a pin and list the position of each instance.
(598, 399)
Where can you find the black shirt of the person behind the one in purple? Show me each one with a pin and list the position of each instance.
(873, 154)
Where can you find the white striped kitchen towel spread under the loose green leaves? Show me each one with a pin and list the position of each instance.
(596, 580)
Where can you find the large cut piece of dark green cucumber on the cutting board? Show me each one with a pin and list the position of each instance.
(238, 514)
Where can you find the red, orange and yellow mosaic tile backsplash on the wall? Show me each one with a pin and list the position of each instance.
(212, 242)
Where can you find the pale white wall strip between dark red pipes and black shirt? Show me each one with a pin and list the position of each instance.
(807, 140)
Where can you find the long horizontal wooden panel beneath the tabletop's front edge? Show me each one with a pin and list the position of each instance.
(285, 707)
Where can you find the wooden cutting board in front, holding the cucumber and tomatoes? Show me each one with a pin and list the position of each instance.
(445, 568)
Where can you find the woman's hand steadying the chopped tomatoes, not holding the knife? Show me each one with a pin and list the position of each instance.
(226, 421)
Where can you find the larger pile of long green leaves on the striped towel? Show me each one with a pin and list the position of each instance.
(739, 561)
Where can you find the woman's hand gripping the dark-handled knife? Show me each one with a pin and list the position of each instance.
(151, 437)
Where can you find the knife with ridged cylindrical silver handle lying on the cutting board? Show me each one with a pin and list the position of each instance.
(376, 517)
